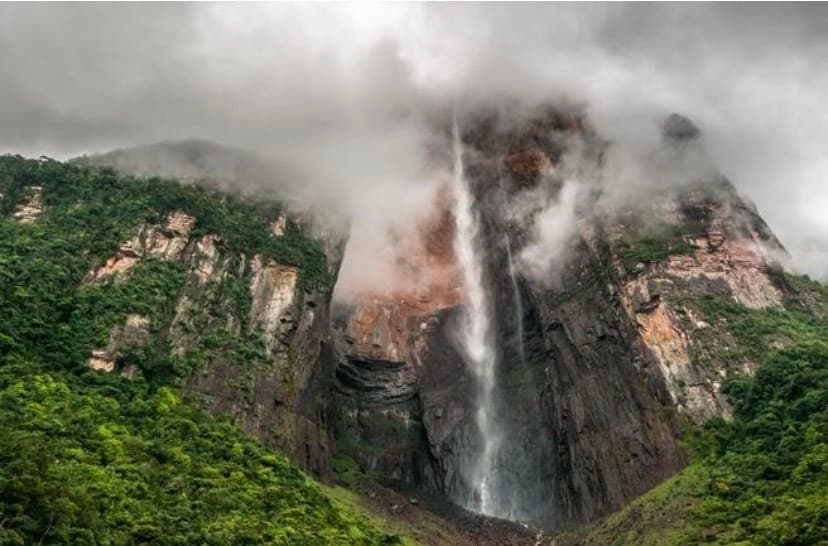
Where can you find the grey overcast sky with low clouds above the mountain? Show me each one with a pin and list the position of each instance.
(330, 84)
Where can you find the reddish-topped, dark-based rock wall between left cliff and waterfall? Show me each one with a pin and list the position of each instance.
(382, 343)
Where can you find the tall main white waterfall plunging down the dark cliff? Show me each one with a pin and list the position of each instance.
(476, 337)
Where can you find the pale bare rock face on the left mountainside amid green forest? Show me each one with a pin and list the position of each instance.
(255, 334)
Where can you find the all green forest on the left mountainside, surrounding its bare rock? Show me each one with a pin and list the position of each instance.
(91, 458)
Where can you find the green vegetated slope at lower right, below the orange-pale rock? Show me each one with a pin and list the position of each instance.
(762, 477)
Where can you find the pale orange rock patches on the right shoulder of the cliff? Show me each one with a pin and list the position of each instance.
(731, 255)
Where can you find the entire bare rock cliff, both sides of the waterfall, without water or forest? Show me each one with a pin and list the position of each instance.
(600, 355)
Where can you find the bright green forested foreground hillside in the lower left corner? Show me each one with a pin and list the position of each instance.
(89, 459)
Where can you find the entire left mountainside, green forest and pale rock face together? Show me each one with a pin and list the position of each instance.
(115, 293)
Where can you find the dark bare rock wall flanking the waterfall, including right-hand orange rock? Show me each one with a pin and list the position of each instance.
(597, 363)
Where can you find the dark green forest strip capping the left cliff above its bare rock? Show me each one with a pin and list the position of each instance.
(96, 209)
